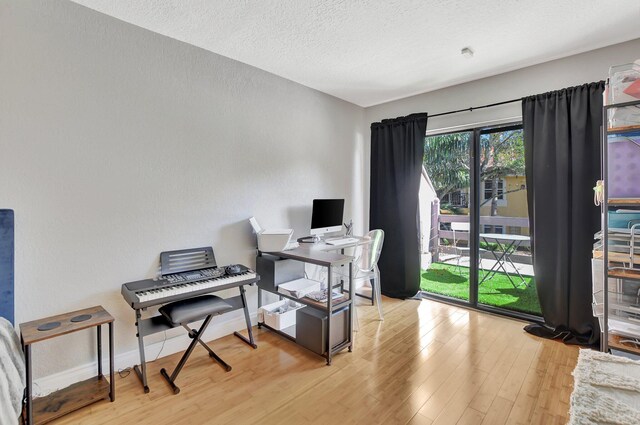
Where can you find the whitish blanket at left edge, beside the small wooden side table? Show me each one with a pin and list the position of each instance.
(12, 374)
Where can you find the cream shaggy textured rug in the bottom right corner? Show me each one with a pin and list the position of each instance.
(606, 390)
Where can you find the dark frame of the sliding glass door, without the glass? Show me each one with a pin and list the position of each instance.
(474, 229)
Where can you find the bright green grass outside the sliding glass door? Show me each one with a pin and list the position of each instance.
(445, 279)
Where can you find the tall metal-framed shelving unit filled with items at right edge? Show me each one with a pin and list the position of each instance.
(616, 264)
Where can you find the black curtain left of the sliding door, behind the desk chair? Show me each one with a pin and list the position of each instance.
(397, 148)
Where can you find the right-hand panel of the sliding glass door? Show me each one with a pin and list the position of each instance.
(505, 272)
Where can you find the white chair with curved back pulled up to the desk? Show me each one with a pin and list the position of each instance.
(365, 268)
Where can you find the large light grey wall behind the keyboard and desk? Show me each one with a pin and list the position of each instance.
(117, 143)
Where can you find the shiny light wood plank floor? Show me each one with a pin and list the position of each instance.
(427, 363)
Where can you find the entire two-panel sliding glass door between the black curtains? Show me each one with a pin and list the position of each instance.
(479, 250)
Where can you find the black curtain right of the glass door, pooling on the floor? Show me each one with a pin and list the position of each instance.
(562, 154)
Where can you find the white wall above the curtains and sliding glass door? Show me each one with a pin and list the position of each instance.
(571, 71)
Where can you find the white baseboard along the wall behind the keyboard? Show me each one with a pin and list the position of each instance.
(48, 384)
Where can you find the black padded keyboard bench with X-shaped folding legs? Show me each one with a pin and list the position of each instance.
(181, 313)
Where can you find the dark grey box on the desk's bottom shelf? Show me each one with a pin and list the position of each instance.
(311, 327)
